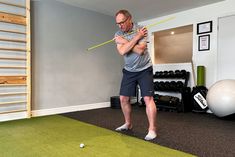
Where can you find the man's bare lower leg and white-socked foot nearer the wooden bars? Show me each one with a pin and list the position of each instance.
(126, 110)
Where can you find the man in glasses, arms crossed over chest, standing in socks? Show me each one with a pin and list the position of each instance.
(131, 43)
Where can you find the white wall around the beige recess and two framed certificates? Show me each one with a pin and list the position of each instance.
(194, 16)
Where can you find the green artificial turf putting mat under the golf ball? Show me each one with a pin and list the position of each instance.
(58, 136)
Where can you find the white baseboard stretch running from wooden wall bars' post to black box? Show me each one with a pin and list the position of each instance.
(60, 110)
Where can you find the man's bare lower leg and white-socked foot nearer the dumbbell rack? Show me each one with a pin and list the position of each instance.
(151, 112)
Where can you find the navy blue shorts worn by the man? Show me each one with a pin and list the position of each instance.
(143, 78)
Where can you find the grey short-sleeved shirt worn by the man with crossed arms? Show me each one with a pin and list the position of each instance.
(133, 61)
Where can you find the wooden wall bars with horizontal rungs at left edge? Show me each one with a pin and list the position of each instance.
(15, 57)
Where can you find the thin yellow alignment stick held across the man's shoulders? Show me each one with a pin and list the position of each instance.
(148, 26)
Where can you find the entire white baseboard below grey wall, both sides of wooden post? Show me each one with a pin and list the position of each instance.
(53, 111)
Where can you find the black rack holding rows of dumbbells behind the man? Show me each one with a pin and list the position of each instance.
(178, 83)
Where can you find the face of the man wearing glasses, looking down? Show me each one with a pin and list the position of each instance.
(124, 23)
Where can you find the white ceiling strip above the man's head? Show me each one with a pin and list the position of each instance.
(140, 9)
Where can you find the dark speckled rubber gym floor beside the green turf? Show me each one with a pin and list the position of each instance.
(203, 135)
